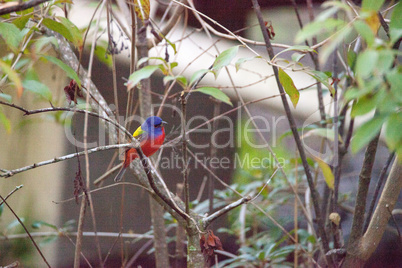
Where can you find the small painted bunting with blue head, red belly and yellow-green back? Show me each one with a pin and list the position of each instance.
(151, 135)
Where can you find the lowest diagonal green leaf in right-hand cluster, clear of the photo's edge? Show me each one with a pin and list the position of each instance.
(366, 133)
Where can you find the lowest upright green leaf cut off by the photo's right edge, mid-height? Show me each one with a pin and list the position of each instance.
(393, 133)
